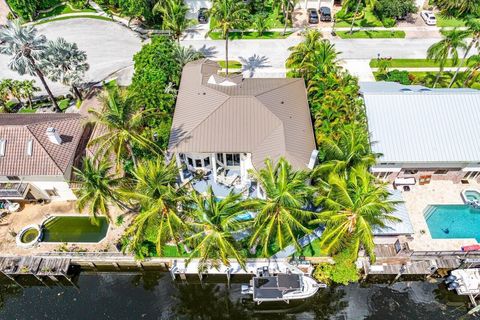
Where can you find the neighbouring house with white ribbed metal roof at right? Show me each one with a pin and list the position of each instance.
(422, 133)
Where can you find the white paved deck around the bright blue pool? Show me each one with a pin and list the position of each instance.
(437, 192)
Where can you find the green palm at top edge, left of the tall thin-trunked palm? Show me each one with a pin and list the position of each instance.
(174, 15)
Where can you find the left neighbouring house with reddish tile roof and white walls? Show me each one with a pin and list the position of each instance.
(37, 152)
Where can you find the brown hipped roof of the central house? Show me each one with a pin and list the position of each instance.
(269, 118)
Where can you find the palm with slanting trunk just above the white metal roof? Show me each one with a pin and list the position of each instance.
(447, 48)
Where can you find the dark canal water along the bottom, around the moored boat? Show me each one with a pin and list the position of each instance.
(155, 296)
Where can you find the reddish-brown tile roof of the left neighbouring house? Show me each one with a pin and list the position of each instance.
(47, 159)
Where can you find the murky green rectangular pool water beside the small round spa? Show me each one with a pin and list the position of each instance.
(74, 229)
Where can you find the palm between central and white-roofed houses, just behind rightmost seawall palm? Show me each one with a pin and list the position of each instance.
(350, 149)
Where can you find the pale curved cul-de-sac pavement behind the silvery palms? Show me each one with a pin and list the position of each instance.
(109, 46)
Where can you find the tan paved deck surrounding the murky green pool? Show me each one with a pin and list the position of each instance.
(36, 214)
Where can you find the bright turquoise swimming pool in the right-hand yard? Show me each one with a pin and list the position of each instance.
(453, 221)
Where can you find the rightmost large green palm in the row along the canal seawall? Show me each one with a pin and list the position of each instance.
(353, 207)
